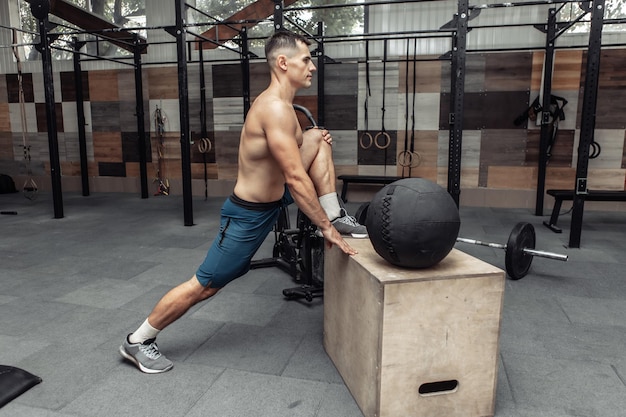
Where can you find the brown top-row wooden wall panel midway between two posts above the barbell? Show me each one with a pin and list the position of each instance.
(508, 71)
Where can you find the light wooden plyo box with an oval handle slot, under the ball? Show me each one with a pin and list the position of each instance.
(414, 342)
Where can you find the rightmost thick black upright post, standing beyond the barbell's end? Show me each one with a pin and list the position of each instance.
(588, 121)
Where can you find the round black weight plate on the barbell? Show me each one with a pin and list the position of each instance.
(518, 262)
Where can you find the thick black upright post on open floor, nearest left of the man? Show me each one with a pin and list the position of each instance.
(183, 106)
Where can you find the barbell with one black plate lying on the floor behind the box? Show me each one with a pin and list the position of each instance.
(519, 250)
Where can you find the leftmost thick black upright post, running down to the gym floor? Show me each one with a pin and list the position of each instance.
(40, 10)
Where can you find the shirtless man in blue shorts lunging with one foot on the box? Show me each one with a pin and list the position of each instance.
(278, 164)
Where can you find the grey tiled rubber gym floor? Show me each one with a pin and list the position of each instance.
(72, 288)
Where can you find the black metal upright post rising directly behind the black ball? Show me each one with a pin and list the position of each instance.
(456, 101)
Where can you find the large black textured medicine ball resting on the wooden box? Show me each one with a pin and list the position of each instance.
(413, 223)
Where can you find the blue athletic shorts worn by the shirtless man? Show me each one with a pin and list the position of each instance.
(243, 228)
